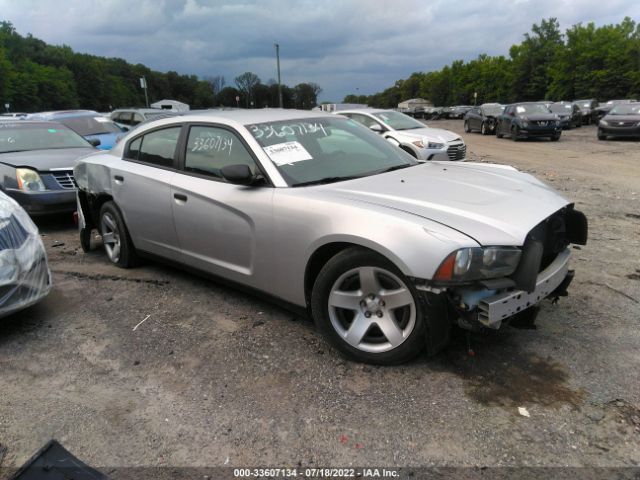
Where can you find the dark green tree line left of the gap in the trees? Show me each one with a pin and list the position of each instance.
(35, 76)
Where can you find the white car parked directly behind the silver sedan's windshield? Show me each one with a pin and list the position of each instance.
(414, 137)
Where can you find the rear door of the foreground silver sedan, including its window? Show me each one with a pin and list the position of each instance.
(141, 186)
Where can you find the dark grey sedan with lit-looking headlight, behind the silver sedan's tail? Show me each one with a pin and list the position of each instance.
(36, 164)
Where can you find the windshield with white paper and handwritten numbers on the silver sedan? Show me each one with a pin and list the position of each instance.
(321, 150)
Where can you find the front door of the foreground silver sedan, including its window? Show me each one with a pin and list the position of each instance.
(222, 228)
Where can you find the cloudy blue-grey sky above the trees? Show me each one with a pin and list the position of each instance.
(346, 46)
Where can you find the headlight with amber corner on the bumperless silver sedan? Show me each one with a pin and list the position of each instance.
(469, 264)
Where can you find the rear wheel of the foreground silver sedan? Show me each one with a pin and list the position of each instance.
(115, 237)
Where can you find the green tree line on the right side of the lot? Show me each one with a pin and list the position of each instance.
(584, 62)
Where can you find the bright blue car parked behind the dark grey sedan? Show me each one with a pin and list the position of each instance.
(99, 130)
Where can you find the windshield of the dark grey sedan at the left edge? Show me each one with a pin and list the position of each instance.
(20, 137)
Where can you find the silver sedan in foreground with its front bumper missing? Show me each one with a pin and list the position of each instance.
(385, 253)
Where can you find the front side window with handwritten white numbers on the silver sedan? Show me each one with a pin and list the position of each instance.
(211, 148)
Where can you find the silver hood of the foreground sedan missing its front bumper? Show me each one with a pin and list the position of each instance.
(493, 204)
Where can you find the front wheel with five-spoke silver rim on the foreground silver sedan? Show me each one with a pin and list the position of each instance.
(367, 309)
